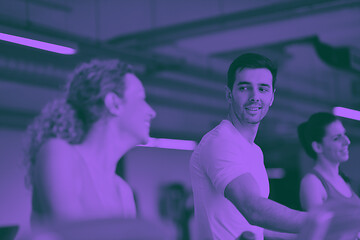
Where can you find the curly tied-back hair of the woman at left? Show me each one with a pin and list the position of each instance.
(71, 117)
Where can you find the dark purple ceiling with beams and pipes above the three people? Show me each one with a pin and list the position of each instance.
(181, 50)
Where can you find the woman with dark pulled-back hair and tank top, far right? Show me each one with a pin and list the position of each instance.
(324, 139)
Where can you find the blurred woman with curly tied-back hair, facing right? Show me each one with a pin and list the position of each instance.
(76, 142)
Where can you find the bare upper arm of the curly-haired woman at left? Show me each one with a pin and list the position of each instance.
(57, 181)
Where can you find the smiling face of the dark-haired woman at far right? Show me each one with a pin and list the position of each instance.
(335, 143)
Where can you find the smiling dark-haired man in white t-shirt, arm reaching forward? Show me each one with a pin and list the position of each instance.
(229, 179)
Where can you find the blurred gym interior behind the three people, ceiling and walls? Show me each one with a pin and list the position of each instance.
(181, 51)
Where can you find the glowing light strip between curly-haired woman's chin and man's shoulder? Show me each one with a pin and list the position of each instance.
(170, 144)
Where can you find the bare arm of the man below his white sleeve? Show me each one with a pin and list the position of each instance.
(244, 193)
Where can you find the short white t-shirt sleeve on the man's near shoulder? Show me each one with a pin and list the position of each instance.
(224, 161)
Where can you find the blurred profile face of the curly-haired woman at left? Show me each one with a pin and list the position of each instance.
(137, 113)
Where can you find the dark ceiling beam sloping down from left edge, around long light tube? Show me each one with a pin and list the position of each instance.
(88, 49)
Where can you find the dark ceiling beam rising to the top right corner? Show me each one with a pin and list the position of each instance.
(261, 15)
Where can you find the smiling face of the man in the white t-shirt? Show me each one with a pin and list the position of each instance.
(252, 95)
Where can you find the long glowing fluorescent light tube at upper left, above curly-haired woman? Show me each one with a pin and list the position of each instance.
(37, 44)
